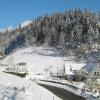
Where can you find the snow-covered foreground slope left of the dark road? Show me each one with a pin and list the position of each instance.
(11, 89)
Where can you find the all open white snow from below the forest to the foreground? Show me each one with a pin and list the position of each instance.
(37, 62)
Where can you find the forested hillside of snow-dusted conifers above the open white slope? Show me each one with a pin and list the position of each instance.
(74, 32)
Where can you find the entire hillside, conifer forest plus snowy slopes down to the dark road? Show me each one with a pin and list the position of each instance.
(50, 44)
